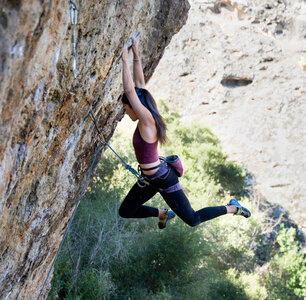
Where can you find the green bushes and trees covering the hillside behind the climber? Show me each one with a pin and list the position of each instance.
(107, 257)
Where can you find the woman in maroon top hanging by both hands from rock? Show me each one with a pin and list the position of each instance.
(159, 177)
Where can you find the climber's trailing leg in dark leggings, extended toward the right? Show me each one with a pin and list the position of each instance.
(180, 204)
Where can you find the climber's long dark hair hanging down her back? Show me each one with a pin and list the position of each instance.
(148, 101)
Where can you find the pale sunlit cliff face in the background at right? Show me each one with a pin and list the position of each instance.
(238, 65)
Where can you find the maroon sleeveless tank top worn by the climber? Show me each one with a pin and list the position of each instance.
(146, 153)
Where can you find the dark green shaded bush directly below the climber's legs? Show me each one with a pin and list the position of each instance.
(160, 259)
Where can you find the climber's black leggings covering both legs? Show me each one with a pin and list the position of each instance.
(132, 206)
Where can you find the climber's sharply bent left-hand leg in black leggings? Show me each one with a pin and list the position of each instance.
(132, 206)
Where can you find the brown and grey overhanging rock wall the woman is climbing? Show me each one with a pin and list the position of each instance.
(47, 139)
